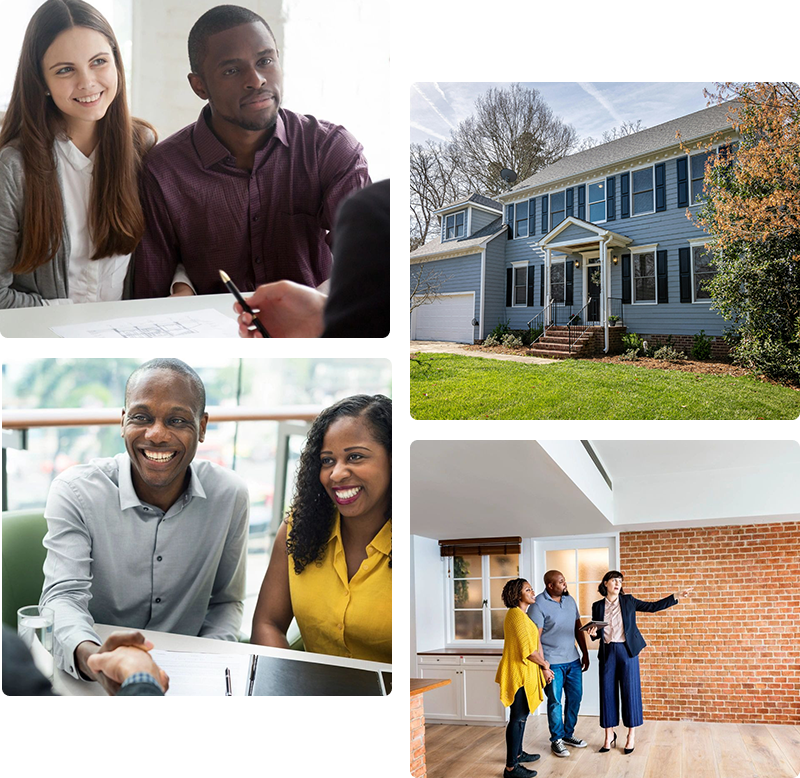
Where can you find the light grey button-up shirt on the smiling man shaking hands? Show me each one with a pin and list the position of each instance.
(114, 559)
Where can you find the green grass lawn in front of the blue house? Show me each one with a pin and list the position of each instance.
(447, 386)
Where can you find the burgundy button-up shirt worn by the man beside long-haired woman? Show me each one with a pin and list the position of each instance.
(272, 223)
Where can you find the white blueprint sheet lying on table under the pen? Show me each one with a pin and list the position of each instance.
(207, 323)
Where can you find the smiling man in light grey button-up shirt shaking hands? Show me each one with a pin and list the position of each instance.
(149, 539)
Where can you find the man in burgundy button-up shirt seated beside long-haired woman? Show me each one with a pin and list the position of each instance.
(250, 188)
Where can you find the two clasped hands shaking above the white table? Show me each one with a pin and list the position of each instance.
(123, 654)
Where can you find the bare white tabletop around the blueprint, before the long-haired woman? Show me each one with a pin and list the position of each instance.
(36, 322)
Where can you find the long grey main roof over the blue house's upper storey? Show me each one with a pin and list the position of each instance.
(662, 136)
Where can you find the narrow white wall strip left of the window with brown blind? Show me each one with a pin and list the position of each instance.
(427, 597)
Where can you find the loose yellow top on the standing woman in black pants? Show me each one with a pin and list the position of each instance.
(515, 669)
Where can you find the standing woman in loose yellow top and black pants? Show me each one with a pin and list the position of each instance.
(522, 673)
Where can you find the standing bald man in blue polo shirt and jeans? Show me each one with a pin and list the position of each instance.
(556, 615)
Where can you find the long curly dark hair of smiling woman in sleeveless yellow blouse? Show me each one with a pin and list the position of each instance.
(312, 511)
